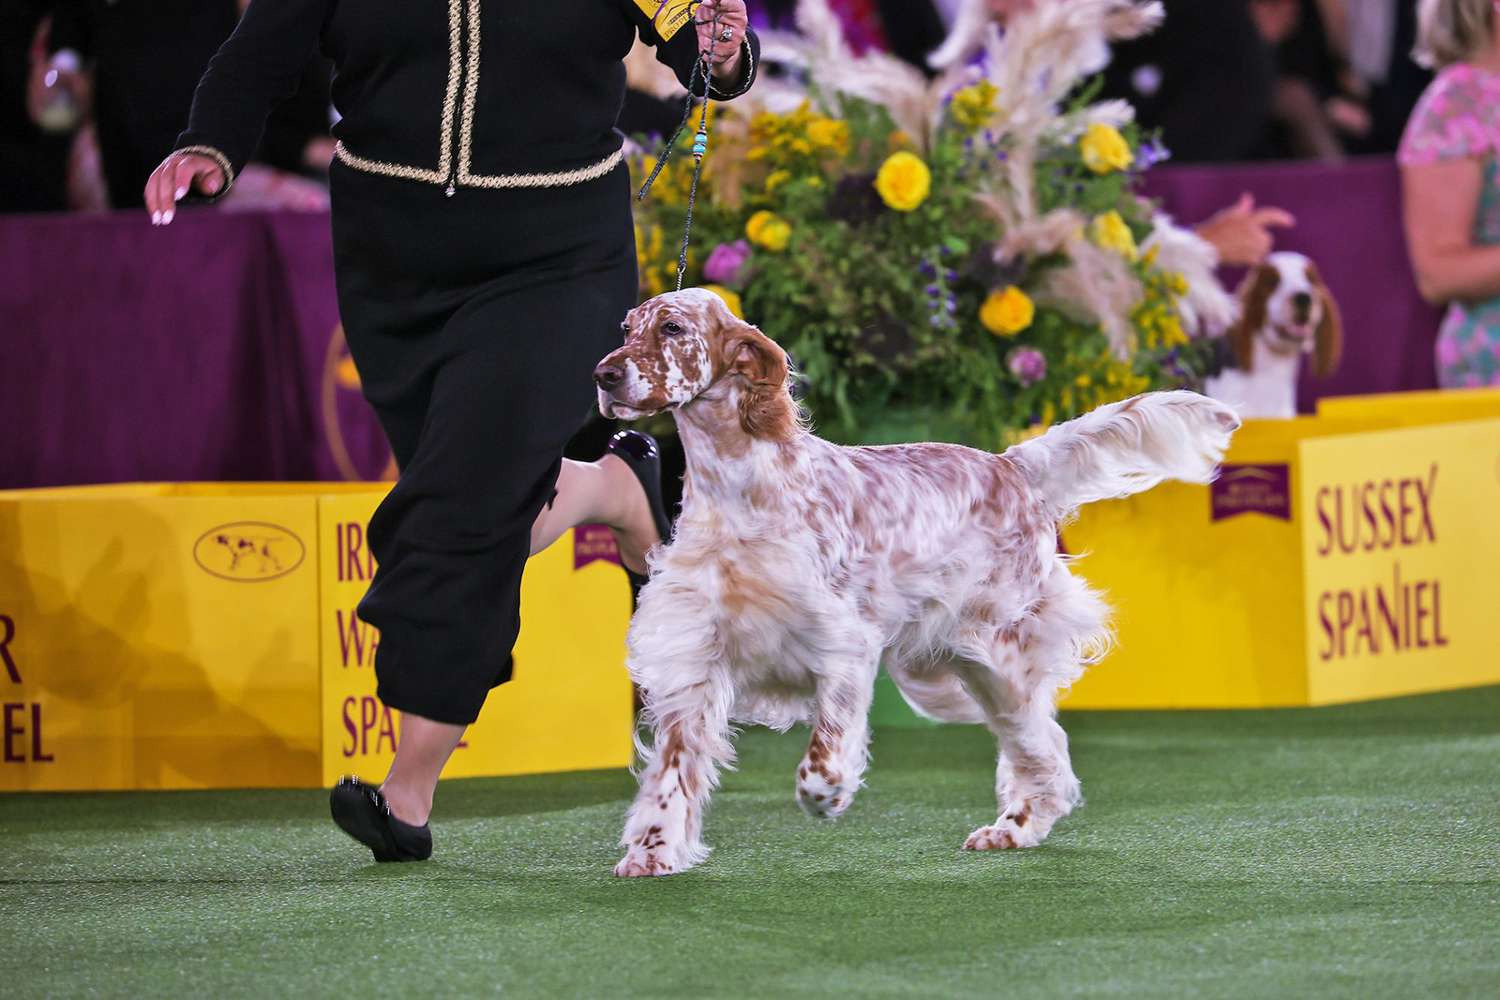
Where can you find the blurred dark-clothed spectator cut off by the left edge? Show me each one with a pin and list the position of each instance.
(34, 163)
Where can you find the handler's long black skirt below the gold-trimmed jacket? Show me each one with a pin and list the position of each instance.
(476, 323)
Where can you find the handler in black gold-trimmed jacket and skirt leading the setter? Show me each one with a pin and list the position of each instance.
(485, 260)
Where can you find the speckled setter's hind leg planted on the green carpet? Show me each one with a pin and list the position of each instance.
(1036, 785)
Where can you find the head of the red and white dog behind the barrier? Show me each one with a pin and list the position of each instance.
(1286, 304)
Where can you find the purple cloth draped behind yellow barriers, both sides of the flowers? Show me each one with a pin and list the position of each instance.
(212, 350)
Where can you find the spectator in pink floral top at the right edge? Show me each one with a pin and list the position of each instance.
(1451, 182)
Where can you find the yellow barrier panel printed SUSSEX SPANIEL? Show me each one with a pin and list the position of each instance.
(1400, 539)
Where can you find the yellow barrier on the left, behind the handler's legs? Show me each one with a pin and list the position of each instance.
(188, 636)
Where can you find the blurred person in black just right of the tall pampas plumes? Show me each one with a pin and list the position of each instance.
(1205, 79)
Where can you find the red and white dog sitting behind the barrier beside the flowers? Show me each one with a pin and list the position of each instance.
(1286, 314)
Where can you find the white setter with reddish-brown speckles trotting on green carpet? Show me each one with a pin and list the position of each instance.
(799, 567)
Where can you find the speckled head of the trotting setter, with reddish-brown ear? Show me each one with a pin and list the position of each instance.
(688, 346)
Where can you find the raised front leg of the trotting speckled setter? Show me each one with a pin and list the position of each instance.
(833, 768)
